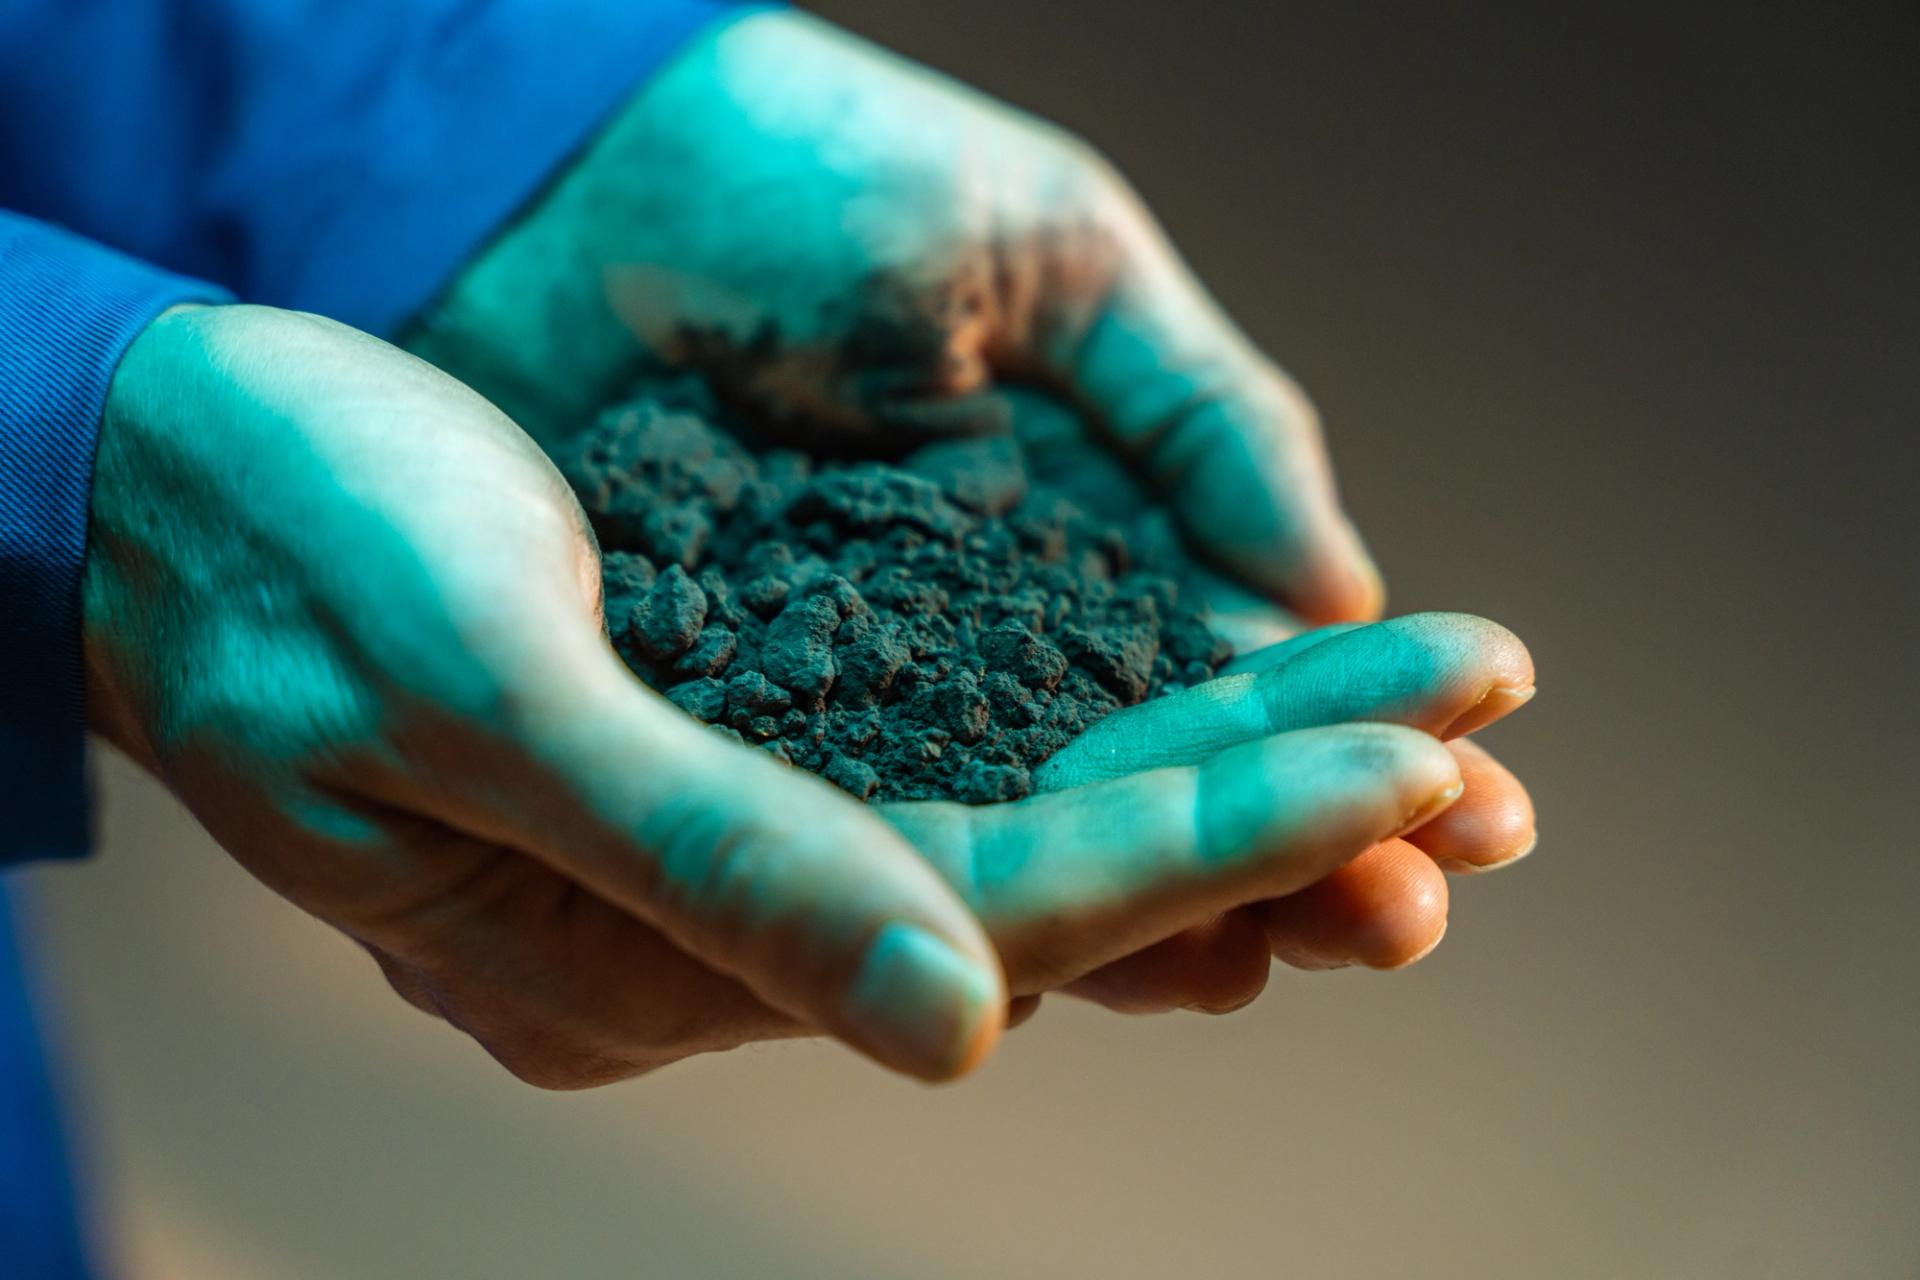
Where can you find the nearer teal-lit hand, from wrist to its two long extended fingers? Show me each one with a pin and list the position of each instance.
(350, 615)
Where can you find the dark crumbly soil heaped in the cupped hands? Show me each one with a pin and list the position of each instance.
(930, 628)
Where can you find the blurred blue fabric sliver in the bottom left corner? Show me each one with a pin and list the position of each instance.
(39, 1229)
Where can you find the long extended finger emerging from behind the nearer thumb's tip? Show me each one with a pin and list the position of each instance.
(1074, 880)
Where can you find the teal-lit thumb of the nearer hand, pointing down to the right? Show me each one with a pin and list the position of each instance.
(763, 872)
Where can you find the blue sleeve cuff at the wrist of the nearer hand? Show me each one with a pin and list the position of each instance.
(68, 312)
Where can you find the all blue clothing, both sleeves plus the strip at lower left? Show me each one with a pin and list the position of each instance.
(335, 158)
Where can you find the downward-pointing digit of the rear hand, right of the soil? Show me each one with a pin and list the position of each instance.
(1218, 429)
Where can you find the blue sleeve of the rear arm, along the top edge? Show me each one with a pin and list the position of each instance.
(335, 158)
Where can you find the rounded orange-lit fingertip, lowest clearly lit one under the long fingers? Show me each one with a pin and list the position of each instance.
(1383, 911)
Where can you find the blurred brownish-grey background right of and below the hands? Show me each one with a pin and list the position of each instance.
(1612, 312)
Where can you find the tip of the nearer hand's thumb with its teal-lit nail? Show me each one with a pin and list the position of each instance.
(921, 1007)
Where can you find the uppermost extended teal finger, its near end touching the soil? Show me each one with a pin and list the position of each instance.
(1424, 671)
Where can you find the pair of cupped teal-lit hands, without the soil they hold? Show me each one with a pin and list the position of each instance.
(345, 607)
